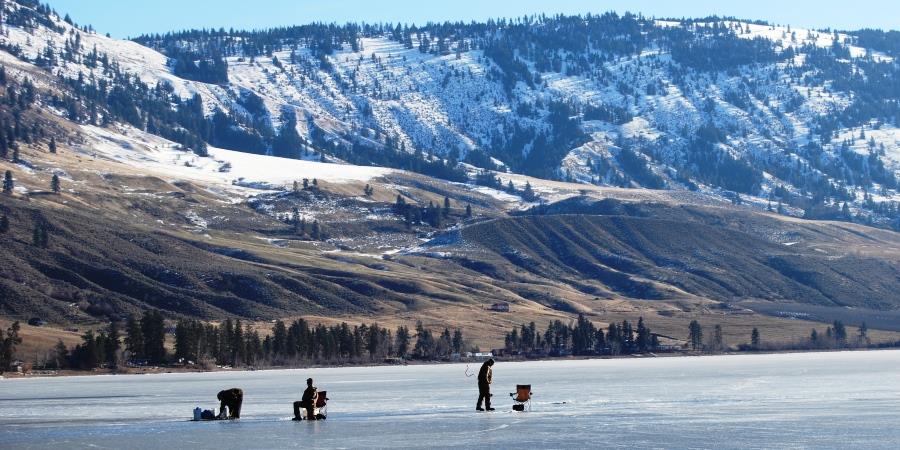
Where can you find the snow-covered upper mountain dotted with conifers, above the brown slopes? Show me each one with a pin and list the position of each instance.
(772, 115)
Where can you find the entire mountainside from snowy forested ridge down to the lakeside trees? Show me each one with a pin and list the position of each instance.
(613, 166)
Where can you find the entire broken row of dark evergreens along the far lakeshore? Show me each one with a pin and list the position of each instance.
(143, 341)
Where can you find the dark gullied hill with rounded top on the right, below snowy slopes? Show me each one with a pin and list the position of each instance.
(642, 256)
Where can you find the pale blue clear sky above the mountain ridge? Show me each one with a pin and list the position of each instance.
(123, 18)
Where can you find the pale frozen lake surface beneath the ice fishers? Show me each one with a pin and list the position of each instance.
(813, 400)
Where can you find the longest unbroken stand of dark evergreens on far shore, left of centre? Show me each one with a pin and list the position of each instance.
(143, 340)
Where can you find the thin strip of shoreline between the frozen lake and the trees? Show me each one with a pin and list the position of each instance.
(181, 370)
